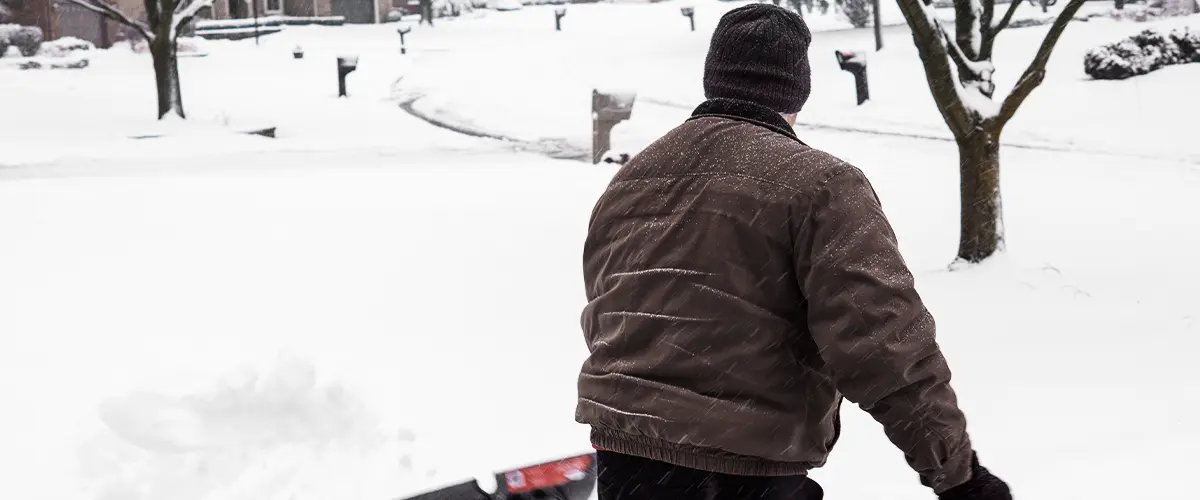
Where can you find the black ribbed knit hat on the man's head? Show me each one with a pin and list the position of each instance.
(760, 53)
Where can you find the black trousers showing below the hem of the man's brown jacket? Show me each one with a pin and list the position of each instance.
(627, 478)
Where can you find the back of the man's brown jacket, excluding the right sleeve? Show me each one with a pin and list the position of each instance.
(695, 310)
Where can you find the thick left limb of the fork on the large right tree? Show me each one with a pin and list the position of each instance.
(931, 41)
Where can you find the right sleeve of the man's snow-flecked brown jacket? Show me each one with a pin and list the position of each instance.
(873, 330)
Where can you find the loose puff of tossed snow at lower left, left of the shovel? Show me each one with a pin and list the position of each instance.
(274, 436)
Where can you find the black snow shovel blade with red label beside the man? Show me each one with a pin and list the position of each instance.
(568, 479)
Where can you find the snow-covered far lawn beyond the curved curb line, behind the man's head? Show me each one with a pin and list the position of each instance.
(549, 77)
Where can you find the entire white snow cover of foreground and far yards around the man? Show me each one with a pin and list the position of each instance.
(385, 298)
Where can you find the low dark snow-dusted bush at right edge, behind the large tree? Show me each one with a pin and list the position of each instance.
(1143, 53)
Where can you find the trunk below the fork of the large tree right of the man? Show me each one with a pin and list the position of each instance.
(982, 232)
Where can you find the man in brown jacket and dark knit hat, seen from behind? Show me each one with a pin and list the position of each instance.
(741, 284)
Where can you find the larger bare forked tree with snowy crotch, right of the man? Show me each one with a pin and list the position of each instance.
(959, 71)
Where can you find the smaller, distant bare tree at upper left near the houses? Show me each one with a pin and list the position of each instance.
(165, 20)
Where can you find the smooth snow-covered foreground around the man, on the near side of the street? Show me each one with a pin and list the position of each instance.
(429, 324)
